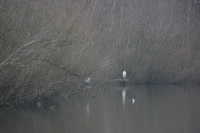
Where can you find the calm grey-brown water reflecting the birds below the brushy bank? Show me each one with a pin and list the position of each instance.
(157, 109)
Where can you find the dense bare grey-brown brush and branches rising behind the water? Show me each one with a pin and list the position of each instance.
(50, 45)
